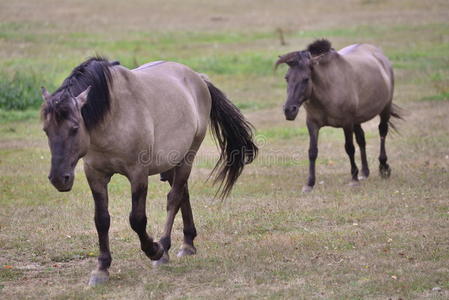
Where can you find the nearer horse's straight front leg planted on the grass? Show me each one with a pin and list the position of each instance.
(98, 185)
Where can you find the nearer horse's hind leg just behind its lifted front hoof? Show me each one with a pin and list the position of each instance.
(175, 199)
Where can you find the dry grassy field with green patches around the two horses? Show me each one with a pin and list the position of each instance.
(384, 239)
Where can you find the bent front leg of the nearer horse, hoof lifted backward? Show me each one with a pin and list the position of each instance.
(138, 218)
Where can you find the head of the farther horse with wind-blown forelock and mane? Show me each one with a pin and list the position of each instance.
(299, 75)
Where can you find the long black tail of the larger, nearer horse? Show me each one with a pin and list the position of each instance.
(235, 139)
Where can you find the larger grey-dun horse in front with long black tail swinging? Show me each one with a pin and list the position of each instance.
(141, 122)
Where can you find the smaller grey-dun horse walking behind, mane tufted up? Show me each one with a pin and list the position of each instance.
(341, 89)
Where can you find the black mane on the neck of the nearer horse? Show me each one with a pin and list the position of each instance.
(94, 72)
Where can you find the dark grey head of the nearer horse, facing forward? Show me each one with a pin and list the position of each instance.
(67, 135)
